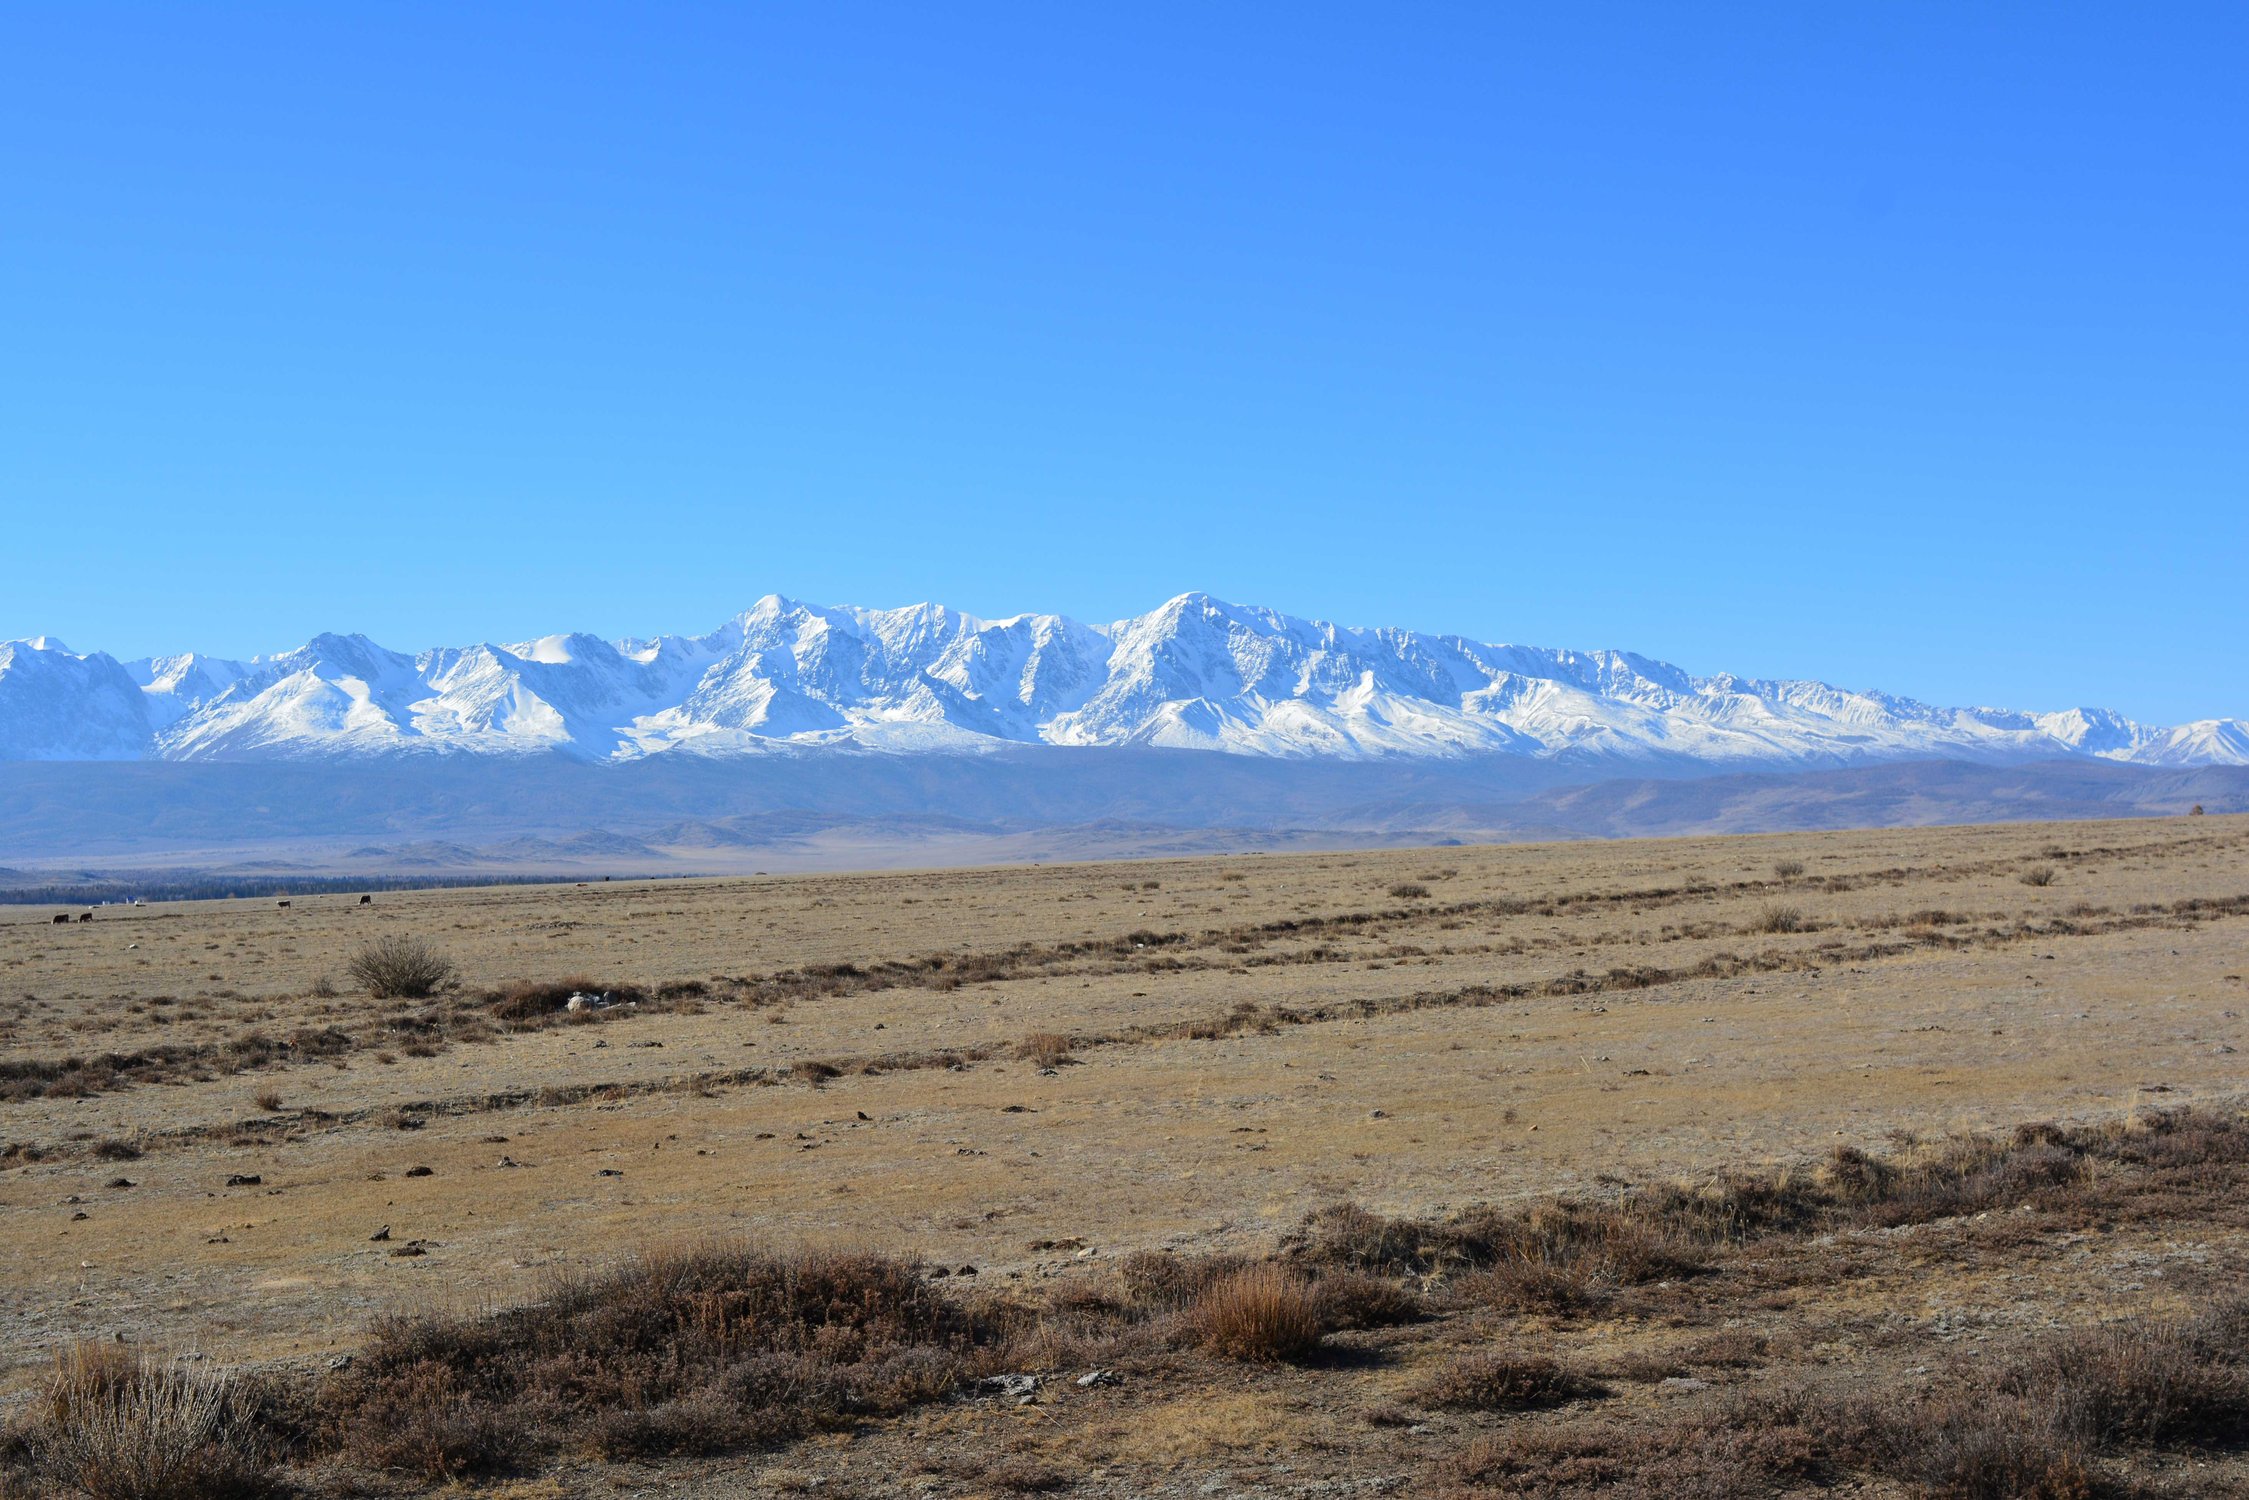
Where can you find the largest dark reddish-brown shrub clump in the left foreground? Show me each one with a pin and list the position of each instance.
(674, 1355)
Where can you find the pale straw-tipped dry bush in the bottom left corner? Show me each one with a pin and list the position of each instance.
(118, 1425)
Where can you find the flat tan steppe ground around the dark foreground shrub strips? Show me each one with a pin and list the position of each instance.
(1045, 1072)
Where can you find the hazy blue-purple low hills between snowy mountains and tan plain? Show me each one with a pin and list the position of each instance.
(844, 808)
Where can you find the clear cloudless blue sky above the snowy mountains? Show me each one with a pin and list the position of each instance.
(1899, 345)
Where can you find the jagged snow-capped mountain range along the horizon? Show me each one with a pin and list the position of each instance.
(1195, 674)
